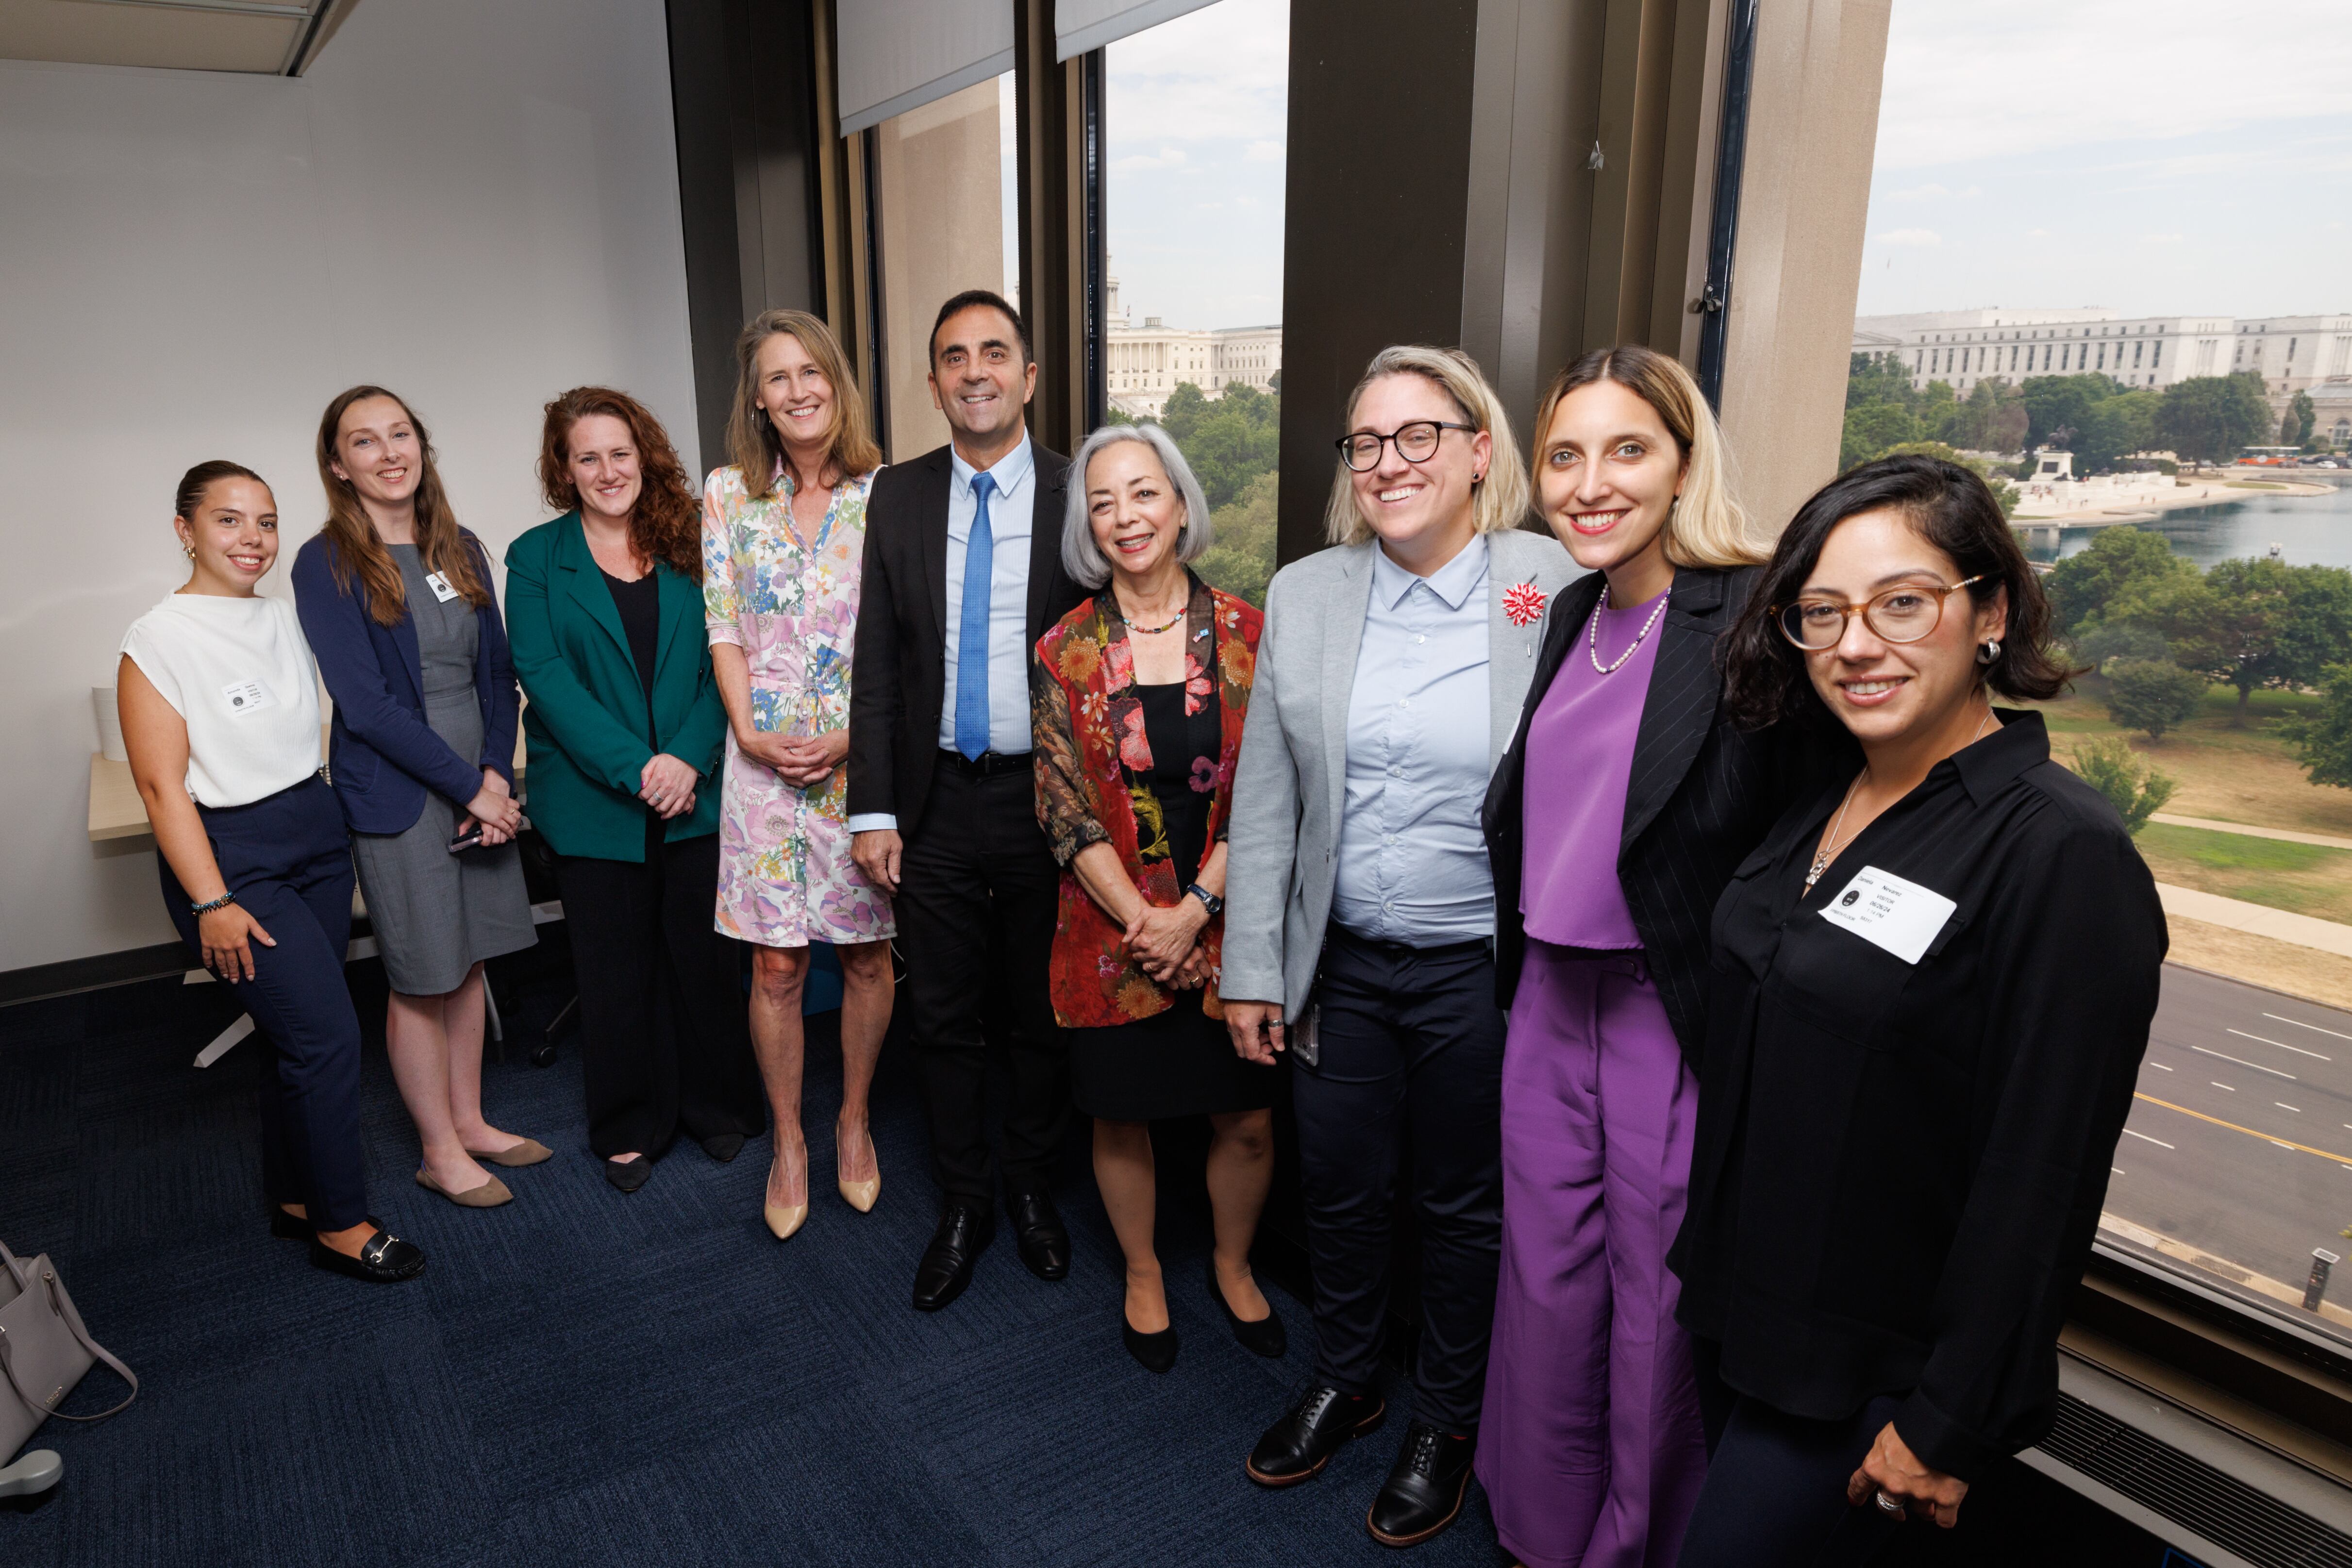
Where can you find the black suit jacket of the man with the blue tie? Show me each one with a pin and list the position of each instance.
(897, 678)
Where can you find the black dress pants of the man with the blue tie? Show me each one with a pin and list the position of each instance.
(977, 906)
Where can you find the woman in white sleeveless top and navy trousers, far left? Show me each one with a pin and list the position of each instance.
(220, 716)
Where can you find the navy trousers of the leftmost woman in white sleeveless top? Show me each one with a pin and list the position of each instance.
(288, 862)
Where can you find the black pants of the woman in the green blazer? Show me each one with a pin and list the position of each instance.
(664, 1038)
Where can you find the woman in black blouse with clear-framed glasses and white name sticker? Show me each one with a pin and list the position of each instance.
(1932, 993)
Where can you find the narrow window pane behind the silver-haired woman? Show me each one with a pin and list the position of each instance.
(1194, 128)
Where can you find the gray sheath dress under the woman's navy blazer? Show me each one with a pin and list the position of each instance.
(439, 916)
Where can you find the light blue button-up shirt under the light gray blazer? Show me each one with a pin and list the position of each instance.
(1412, 859)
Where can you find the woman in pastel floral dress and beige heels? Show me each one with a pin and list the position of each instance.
(784, 537)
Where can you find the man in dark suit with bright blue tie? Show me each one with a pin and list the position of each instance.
(963, 577)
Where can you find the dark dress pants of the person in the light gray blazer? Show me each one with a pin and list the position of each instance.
(1410, 1052)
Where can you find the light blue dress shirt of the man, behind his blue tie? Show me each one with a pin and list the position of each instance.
(1010, 525)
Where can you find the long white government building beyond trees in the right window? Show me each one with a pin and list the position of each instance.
(2292, 354)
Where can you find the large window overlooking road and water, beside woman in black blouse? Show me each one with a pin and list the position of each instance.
(2172, 304)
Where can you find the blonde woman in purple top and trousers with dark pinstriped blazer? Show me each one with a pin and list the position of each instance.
(1615, 824)
